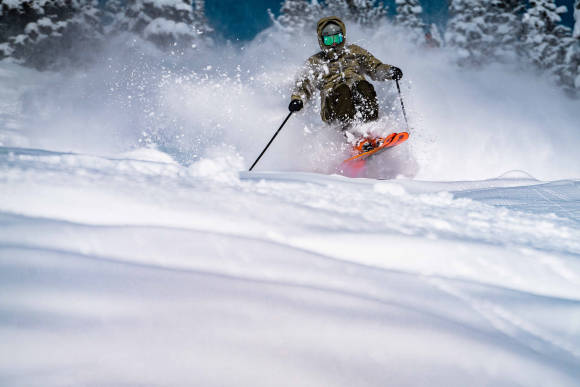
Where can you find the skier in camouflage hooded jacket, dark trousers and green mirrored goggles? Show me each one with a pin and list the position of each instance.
(338, 72)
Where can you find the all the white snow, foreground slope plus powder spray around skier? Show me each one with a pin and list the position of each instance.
(136, 250)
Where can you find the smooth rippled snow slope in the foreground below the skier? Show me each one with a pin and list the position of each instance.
(130, 272)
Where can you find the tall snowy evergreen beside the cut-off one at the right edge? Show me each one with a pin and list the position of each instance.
(545, 40)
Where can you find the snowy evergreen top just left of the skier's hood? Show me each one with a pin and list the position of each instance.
(298, 15)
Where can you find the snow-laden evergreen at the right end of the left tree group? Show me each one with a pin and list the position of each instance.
(166, 23)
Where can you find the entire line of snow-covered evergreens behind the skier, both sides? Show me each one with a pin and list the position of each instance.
(51, 34)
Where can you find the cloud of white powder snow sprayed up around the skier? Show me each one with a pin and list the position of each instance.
(465, 123)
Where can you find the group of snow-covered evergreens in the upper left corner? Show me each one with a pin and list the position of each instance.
(51, 34)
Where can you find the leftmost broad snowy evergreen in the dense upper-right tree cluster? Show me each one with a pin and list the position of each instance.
(466, 30)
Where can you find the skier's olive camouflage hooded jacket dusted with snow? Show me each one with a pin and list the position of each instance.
(335, 65)
